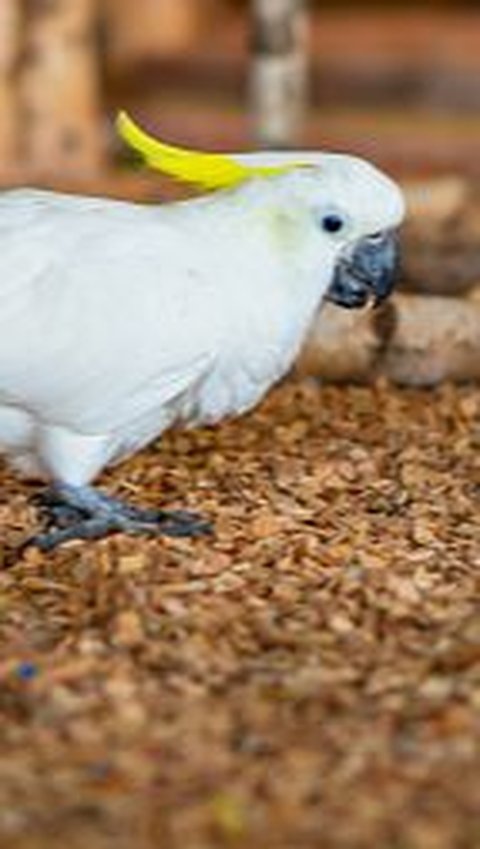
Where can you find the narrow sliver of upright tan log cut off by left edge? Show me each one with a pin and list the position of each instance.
(9, 51)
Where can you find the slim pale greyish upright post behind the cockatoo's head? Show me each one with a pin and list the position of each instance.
(278, 79)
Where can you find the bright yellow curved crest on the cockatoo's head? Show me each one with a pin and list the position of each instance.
(205, 170)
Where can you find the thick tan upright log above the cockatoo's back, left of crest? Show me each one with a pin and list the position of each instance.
(59, 88)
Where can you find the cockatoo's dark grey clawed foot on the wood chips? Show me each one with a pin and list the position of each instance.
(81, 512)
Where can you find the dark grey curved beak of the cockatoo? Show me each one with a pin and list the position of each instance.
(367, 272)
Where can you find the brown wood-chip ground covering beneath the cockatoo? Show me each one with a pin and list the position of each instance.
(307, 678)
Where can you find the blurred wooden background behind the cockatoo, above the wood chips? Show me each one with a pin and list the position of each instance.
(397, 83)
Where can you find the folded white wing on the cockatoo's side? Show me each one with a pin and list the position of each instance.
(101, 310)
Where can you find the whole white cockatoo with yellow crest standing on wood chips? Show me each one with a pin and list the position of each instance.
(118, 320)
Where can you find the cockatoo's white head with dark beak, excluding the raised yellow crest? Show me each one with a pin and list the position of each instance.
(352, 212)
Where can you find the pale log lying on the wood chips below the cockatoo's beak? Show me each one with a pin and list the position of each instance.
(414, 340)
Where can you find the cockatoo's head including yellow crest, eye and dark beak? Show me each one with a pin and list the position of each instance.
(347, 210)
